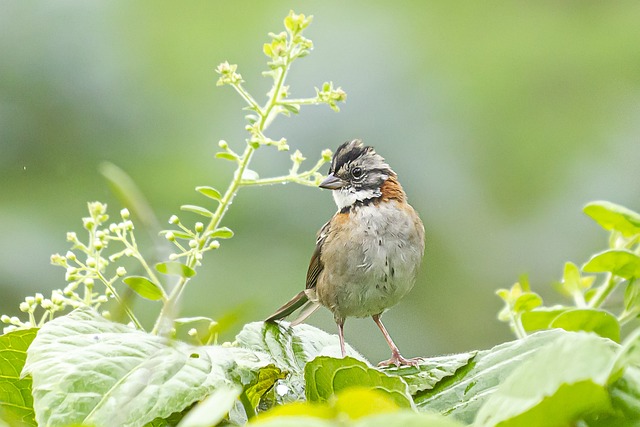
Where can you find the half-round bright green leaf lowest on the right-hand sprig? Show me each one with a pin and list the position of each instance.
(601, 322)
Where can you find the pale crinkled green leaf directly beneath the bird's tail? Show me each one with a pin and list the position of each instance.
(290, 348)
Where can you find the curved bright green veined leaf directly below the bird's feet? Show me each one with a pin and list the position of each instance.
(326, 376)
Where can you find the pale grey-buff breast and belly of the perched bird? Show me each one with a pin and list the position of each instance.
(379, 269)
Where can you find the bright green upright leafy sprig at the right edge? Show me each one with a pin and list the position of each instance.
(616, 269)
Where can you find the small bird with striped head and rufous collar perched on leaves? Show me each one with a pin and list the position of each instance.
(367, 256)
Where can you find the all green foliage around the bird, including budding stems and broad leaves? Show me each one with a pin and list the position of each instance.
(566, 368)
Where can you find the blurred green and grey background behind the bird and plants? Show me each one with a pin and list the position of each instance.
(502, 120)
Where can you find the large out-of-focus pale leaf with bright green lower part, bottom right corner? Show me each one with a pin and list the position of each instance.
(563, 382)
